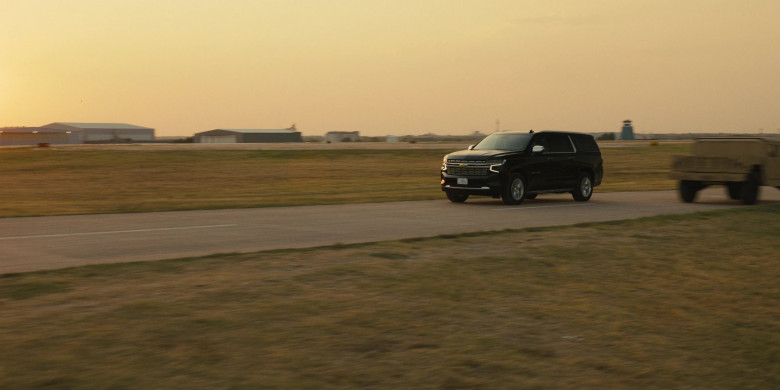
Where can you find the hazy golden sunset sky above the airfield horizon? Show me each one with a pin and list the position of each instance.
(393, 67)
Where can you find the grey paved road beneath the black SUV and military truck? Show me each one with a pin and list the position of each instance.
(43, 243)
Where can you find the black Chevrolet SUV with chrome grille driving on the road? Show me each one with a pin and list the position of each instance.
(517, 165)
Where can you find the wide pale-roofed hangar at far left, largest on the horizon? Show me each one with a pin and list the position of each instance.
(105, 132)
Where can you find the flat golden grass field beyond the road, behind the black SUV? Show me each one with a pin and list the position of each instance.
(51, 181)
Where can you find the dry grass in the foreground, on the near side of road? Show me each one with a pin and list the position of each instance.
(683, 302)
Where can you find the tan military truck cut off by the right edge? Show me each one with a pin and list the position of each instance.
(741, 164)
